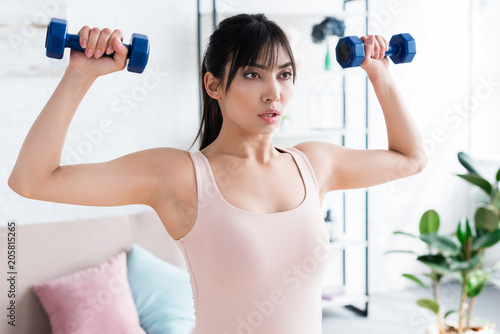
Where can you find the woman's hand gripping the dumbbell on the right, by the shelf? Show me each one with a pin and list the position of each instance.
(375, 60)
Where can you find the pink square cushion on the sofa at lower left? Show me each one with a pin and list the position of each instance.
(94, 300)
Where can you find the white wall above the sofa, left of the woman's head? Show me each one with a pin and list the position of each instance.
(157, 108)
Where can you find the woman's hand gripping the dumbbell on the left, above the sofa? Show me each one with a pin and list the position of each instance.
(96, 42)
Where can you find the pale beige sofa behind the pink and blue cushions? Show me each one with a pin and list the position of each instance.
(51, 250)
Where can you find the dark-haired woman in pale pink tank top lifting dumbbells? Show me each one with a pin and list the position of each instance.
(245, 214)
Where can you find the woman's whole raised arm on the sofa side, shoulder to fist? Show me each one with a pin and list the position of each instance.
(37, 174)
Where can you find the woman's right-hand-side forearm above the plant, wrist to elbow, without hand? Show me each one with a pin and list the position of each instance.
(402, 133)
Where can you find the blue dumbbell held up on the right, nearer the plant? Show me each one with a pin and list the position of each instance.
(351, 51)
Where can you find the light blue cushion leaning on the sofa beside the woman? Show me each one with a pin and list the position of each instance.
(162, 293)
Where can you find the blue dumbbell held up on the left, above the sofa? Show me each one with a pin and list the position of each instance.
(58, 38)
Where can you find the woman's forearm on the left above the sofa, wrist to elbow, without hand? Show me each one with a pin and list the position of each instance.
(41, 151)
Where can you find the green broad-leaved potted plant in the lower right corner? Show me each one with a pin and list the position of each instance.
(460, 256)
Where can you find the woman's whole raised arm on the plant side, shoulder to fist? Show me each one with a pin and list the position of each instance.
(338, 167)
